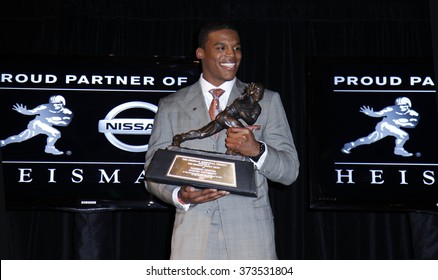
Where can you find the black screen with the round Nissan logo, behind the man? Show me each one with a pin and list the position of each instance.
(75, 130)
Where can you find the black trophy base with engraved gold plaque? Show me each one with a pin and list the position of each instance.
(203, 169)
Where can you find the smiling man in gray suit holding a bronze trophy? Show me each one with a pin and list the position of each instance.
(209, 223)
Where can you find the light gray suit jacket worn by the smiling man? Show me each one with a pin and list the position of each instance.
(232, 227)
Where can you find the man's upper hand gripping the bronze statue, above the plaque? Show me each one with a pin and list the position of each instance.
(241, 140)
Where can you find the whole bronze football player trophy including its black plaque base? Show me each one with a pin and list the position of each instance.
(204, 169)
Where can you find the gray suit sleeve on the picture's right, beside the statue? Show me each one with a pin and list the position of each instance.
(281, 164)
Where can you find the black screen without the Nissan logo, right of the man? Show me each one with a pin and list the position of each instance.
(373, 127)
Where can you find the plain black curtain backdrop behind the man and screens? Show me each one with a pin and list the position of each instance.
(277, 37)
